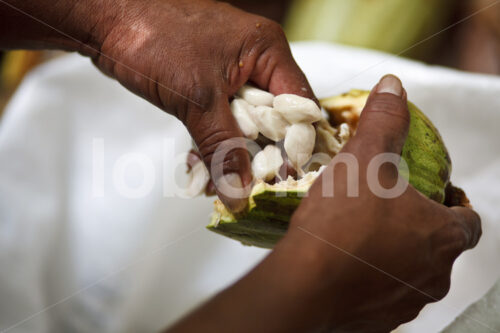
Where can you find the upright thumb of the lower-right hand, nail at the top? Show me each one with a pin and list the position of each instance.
(383, 125)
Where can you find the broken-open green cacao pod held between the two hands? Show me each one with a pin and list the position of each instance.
(270, 206)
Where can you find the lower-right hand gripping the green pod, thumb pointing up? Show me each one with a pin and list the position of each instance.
(373, 262)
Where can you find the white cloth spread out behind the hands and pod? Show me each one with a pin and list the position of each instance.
(77, 254)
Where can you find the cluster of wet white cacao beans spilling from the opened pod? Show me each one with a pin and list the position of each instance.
(288, 127)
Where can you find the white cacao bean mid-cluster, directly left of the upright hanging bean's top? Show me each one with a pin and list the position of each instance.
(269, 122)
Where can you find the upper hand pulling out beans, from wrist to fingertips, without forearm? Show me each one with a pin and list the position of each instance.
(189, 58)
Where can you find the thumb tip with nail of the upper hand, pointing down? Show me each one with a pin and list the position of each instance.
(232, 192)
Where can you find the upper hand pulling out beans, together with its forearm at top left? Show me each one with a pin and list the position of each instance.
(188, 57)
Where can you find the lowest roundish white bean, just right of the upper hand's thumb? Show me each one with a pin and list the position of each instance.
(267, 163)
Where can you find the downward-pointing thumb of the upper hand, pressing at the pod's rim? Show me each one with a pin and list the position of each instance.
(215, 132)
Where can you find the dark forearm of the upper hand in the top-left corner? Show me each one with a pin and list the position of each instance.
(73, 25)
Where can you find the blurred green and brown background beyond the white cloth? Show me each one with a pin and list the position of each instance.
(438, 32)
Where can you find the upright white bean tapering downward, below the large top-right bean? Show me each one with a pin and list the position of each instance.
(299, 144)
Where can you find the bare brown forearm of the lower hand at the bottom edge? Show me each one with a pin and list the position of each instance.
(284, 293)
